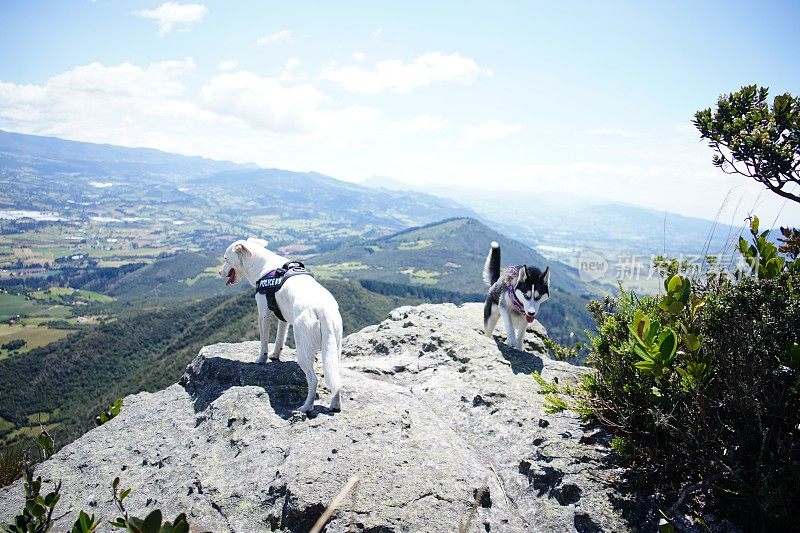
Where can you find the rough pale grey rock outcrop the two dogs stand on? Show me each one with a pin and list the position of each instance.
(444, 427)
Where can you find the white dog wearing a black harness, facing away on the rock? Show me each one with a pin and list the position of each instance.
(304, 303)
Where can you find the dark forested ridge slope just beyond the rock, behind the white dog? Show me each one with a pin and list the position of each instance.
(69, 382)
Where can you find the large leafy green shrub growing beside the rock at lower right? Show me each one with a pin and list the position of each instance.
(702, 385)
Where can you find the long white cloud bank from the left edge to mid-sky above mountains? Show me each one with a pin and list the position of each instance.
(232, 115)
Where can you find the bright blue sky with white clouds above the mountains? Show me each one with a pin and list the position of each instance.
(584, 98)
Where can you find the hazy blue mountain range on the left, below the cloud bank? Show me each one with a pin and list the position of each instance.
(281, 205)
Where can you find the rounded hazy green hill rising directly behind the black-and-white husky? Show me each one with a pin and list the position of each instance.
(449, 255)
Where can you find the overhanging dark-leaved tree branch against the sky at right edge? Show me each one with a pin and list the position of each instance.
(754, 140)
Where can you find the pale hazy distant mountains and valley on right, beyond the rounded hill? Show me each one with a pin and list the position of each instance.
(553, 223)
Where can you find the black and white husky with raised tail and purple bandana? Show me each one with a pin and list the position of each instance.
(516, 296)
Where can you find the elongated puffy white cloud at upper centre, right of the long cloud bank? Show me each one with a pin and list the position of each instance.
(397, 76)
